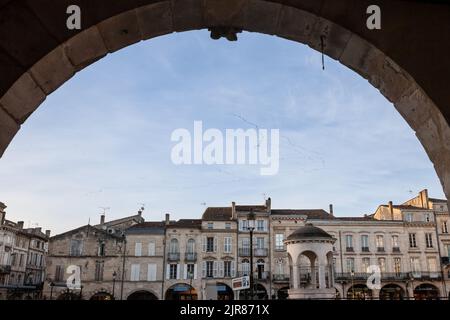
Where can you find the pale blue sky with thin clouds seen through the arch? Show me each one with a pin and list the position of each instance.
(103, 139)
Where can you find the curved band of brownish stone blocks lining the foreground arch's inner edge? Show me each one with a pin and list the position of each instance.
(131, 24)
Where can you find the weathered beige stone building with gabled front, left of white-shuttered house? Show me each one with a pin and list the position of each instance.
(90, 258)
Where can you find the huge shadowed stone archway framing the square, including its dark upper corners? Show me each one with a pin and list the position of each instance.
(40, 54)
